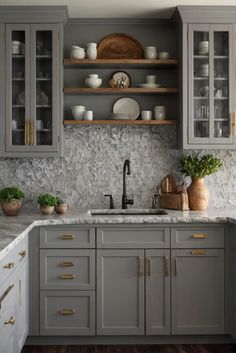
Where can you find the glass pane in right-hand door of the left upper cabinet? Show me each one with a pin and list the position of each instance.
(44, 88)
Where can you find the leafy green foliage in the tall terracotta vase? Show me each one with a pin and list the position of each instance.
(198, 167)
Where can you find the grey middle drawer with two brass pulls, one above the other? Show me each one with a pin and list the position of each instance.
(67, 269)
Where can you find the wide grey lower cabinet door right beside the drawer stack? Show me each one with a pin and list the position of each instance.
(120, 292)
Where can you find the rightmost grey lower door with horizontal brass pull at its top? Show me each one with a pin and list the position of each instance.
(197, 291)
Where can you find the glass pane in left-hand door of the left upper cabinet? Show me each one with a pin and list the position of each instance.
(18, 87)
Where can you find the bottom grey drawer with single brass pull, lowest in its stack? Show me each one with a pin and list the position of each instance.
(67, 313)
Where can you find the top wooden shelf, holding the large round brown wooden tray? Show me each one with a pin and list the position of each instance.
(120, 62)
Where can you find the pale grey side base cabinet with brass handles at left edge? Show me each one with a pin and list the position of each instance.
(14, 298)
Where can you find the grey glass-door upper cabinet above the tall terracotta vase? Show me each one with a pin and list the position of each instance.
(207, 104)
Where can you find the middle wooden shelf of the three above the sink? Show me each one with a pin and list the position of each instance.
(81, 90)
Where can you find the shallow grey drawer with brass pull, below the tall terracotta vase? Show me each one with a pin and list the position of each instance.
(197, 237)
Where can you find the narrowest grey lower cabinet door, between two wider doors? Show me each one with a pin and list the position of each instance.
(157, 292)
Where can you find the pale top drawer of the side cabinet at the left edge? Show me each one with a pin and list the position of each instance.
(13, 260)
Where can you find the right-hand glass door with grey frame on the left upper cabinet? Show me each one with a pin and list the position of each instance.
(44, 96)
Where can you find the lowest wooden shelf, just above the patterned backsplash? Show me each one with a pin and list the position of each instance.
(120, 122)
